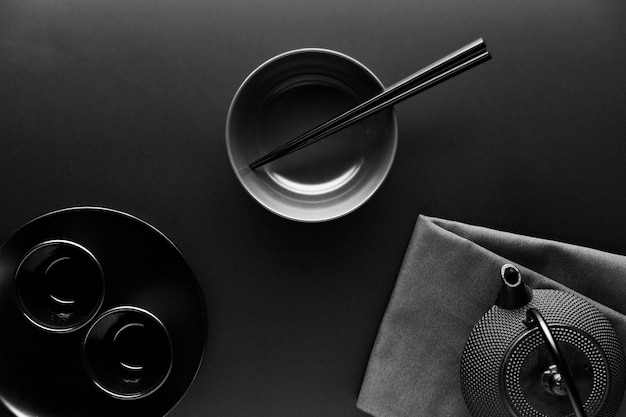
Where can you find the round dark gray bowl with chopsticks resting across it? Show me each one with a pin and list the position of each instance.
(290, 94)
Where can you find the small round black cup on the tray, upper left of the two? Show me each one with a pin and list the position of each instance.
(59, 286)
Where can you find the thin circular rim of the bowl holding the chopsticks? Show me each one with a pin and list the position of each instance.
(238, 170)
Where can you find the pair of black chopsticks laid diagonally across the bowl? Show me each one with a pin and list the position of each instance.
(463, 59)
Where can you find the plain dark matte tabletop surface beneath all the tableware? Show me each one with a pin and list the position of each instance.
(123, 103)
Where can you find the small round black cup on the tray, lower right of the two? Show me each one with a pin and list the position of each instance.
(127, 352)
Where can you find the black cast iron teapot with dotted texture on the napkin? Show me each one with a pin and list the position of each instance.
(542, 353)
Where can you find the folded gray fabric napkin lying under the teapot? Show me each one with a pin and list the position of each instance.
(449, 278)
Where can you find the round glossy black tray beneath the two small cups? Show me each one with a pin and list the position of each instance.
(42, 372)
